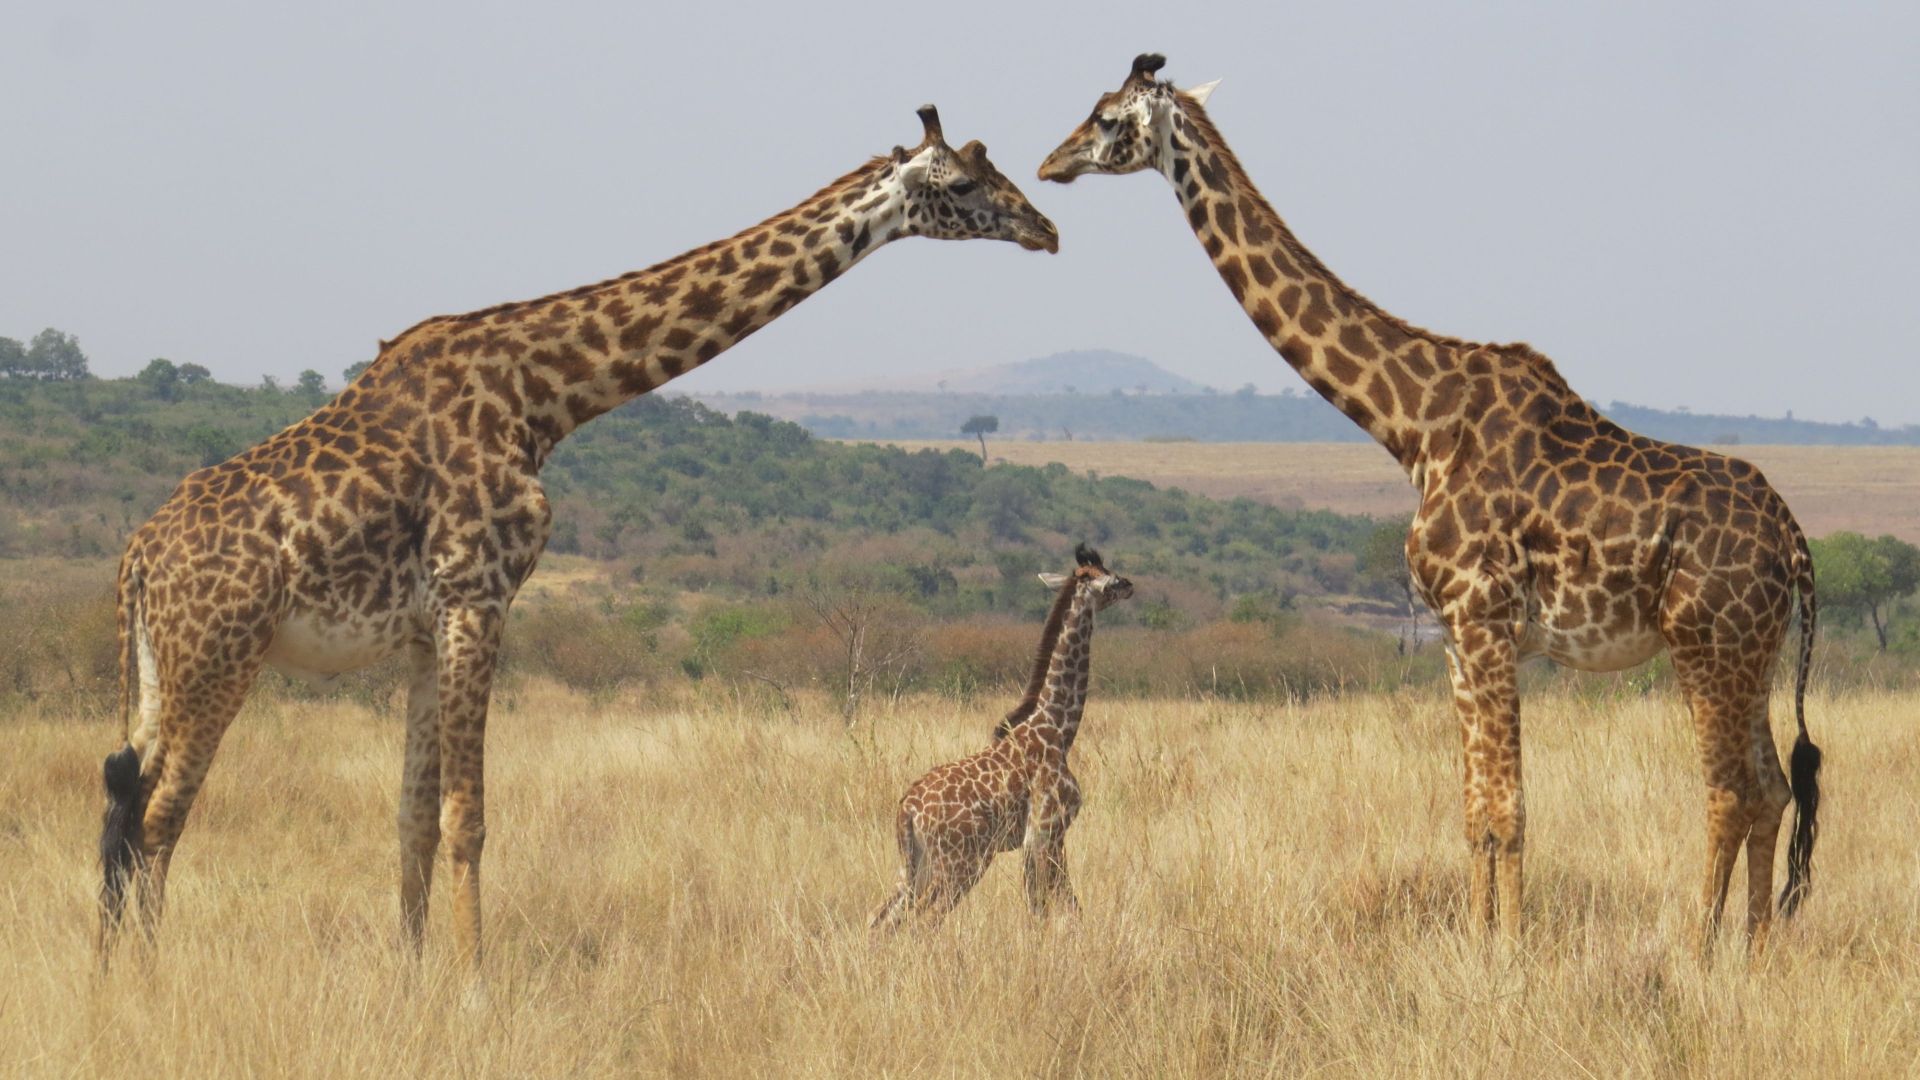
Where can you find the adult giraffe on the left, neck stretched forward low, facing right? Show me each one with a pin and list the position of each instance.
(408, 512)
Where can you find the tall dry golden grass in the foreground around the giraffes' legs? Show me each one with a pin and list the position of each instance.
(679, 887)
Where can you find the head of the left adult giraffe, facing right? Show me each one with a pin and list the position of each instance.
(957, 195)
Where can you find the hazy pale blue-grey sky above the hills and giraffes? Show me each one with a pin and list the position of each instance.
(1685, 205)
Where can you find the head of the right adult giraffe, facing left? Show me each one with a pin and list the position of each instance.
(1130, 130)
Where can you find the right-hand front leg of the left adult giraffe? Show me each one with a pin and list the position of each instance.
(468, 649)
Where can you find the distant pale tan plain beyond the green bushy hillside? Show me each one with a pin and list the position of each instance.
(1865, 489)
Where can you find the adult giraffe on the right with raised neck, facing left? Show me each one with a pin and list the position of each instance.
(1545, 529)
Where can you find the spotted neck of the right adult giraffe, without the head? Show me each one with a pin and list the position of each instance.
(1368, 364)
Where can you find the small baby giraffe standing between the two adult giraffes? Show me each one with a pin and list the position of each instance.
(1019, 793)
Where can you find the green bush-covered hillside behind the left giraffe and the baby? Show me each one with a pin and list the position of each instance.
(692, 499)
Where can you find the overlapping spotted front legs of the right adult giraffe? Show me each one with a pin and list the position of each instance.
(1487, 700)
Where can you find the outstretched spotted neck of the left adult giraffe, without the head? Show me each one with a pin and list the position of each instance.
(573, 356)
